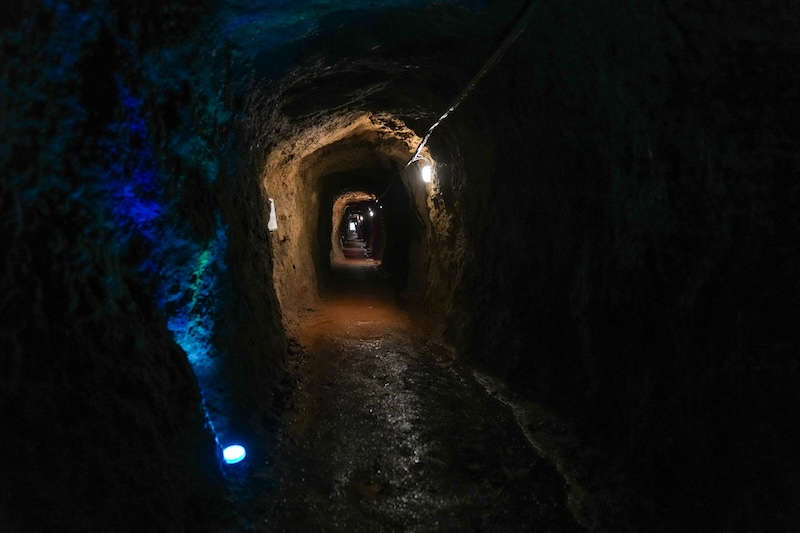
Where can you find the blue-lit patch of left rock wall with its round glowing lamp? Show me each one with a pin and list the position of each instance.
(185, 271)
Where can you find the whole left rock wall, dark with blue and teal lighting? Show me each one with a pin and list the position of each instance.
(114, 263)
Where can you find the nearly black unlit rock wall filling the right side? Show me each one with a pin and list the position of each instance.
(634, 246)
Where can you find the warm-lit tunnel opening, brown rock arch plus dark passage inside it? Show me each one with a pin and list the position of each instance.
(344, 198)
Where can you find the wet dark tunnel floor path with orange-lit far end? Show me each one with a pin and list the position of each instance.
(388, 435)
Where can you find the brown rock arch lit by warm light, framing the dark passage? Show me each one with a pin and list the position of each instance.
(293, 175)
